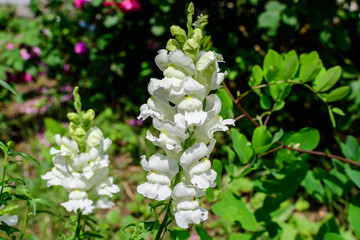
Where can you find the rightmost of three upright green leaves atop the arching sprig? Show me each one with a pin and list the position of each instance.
(310, 66)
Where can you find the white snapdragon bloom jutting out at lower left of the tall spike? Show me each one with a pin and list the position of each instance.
(161, 170)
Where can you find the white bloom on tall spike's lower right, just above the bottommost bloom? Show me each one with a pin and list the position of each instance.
(197, 167)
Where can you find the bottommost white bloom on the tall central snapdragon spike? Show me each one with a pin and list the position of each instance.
(186, 206)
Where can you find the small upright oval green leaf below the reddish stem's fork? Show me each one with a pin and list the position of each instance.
(262, 140)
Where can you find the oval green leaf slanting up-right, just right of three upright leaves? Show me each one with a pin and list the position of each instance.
(328, 79)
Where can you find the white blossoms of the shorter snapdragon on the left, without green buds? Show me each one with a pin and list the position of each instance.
(83, 174)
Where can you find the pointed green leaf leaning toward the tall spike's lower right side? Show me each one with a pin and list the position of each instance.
(241, 146)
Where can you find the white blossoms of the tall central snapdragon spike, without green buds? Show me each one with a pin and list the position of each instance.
(186, 116)
